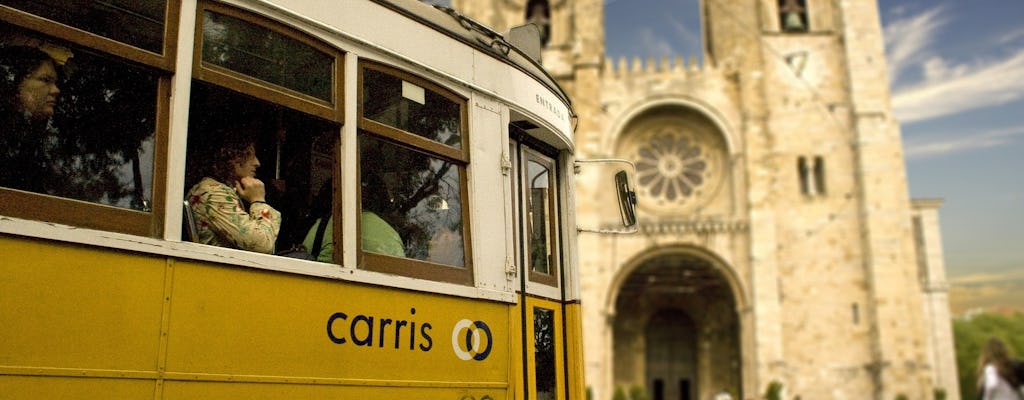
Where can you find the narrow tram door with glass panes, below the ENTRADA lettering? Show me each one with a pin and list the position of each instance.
(539, 262)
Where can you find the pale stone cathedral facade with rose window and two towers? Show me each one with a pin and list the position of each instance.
(778, 240)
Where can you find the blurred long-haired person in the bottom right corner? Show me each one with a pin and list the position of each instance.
(997, 380)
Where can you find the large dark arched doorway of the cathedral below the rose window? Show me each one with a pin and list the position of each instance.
(676, 332)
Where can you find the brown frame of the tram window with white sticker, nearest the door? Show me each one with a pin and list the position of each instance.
(459, 156)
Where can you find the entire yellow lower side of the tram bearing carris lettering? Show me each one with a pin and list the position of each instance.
(88, 323)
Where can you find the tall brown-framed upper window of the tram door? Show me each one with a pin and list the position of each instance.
(541, 217)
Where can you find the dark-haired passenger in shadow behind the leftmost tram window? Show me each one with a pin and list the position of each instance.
(28, 97)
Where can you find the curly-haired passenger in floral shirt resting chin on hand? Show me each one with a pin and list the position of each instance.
(230, 204)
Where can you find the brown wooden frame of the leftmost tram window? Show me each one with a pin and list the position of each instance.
(95, 215)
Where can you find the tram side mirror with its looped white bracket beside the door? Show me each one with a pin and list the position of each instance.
(606, 200)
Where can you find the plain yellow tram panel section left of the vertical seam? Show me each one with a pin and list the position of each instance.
(78, 323)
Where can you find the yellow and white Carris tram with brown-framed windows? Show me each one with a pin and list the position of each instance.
(107, 291)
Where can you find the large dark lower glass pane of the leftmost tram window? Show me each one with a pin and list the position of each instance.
(96, 141)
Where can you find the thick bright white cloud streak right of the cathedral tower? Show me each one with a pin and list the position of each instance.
(949, 91)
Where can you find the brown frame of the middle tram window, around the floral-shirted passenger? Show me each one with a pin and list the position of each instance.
(274, 95)
